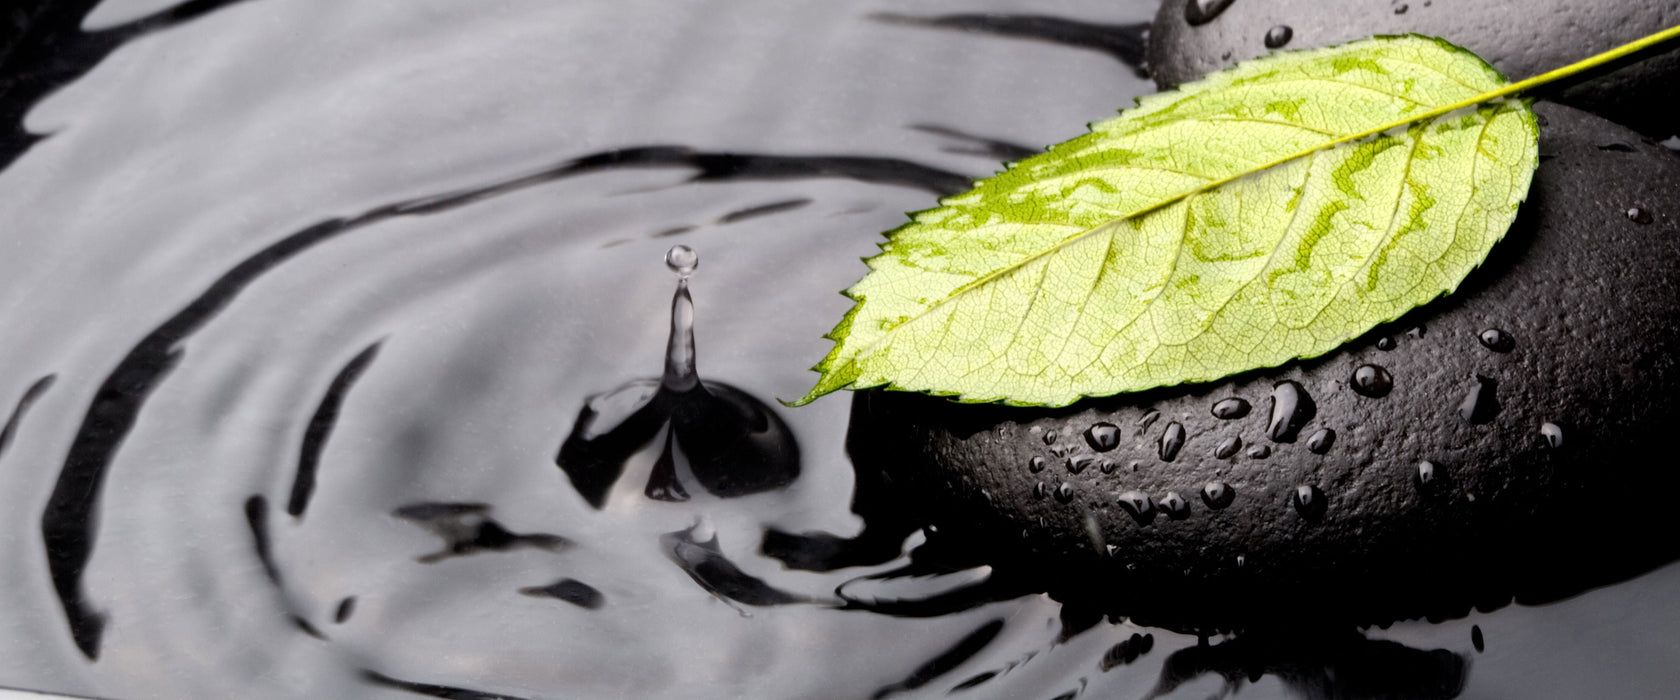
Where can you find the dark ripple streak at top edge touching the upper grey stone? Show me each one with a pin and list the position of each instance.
(1125, 43)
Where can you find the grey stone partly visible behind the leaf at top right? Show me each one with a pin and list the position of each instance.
(1520, 38)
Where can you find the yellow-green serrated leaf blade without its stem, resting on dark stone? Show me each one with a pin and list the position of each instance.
(1269, 212)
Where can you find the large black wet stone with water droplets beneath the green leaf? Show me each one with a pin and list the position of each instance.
(1593, 303)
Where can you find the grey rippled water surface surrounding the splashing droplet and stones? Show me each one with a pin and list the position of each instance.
(302, 300)
